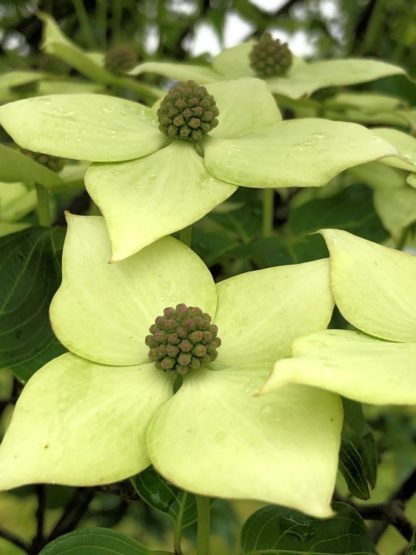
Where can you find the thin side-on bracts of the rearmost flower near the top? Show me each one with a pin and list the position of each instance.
(302, 79)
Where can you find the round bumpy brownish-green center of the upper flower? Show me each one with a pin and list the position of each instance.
(188, 112)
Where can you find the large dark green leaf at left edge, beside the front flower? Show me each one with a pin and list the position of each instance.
(29, 276)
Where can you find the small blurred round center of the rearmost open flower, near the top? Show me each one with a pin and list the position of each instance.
(270, 57)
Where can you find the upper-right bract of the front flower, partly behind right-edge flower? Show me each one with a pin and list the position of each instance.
(260, 313)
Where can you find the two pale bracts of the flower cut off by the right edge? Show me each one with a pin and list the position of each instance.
(375, 290)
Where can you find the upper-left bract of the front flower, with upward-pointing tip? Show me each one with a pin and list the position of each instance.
(103, 311)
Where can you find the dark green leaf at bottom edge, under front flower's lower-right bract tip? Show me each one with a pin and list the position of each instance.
(277, 531)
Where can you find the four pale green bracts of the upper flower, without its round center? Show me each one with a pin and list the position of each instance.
(148, 186)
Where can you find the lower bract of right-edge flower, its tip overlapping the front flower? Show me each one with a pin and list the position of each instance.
(350, 364)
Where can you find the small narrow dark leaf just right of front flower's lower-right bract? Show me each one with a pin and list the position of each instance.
(352, 468)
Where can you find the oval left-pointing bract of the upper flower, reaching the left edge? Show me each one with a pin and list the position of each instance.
(90, 127)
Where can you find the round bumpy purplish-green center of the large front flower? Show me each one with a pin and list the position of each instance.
(183, 339)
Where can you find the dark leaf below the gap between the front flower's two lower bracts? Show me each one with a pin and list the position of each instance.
(165, 497)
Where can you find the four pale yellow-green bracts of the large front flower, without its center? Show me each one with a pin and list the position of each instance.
(102, 412)
